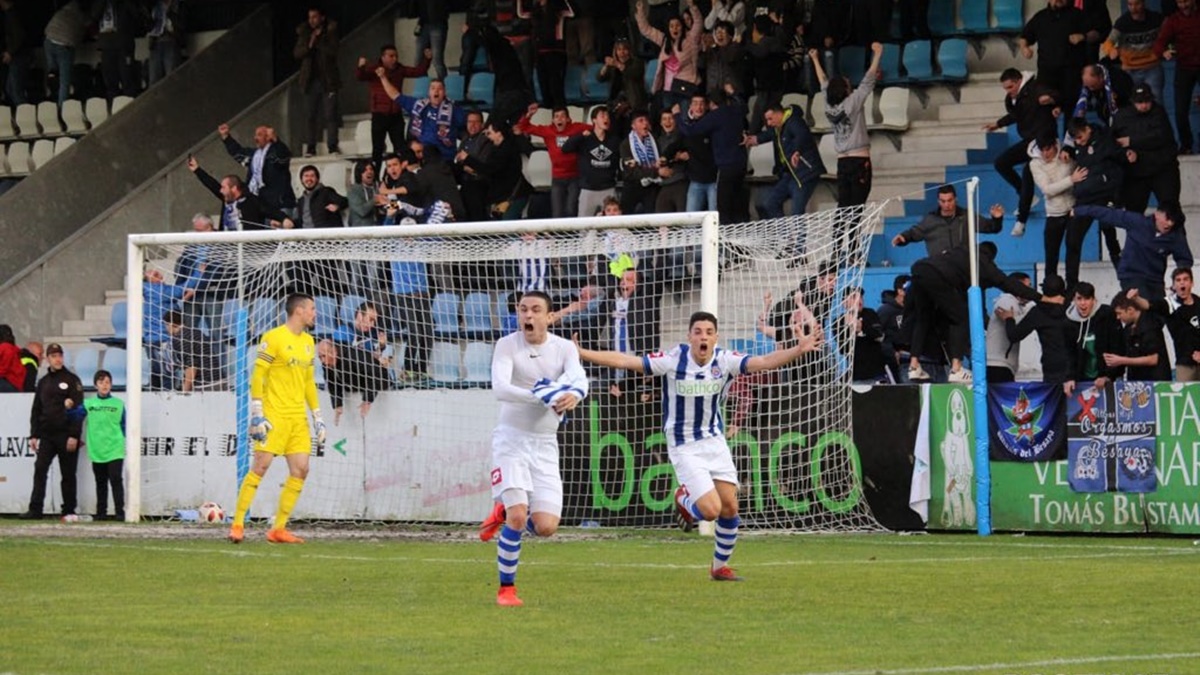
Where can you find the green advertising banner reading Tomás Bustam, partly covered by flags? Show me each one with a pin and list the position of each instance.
(1037, 497)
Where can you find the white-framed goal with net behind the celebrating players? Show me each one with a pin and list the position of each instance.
(407, 318)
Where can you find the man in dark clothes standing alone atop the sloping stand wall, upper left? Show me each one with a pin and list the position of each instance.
(317, 41)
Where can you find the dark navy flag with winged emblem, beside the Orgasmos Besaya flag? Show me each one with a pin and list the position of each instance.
(1027, 422)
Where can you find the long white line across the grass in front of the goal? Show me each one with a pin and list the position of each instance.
(239, 552)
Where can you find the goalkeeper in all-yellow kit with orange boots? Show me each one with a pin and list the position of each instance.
(280, 389)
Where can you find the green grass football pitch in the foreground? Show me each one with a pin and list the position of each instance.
(105, 599)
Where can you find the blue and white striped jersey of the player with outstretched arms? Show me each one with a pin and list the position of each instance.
(693, 395)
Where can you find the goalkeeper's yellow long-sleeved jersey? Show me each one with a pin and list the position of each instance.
(284, 373)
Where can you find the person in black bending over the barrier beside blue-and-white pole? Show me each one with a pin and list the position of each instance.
(939, 296)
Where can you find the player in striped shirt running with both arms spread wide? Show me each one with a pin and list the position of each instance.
(698, 379)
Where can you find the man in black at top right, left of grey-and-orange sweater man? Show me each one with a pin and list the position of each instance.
(1059, 32)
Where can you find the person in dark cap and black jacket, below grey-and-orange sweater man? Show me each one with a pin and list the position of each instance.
(1145, 132)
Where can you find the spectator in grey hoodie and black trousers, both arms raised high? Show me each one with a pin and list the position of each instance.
(844, 109)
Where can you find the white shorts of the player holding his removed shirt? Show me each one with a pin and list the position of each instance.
(527, 463)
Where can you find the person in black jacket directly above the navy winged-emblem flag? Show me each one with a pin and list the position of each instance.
(1048, 318)
